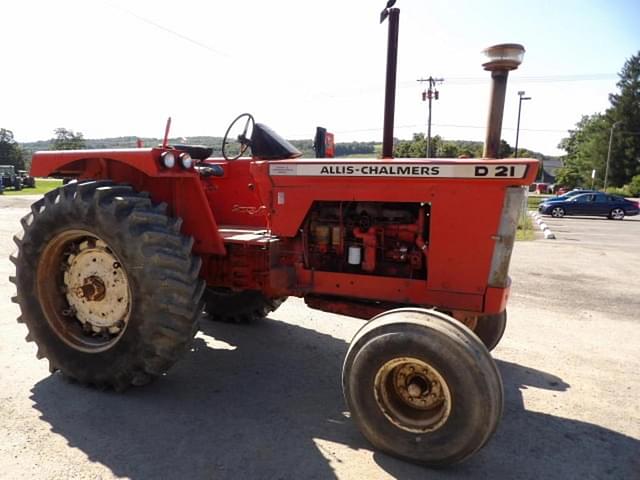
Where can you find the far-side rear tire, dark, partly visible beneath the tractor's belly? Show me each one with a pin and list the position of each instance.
(247, 306)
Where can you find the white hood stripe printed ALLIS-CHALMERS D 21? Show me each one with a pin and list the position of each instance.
(409, 170)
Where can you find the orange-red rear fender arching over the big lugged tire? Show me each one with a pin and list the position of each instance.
(181, 189)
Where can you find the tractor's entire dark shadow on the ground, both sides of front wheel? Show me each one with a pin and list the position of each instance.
(255, 408)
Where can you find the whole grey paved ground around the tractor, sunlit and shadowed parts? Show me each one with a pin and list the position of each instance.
(264, 401)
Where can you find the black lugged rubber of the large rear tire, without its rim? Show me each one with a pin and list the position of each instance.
(166, 290)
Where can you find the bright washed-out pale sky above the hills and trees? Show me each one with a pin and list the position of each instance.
(117, 68)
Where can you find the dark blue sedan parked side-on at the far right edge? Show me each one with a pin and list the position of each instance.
(598, 204)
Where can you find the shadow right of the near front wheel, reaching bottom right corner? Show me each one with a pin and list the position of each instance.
(532, 445)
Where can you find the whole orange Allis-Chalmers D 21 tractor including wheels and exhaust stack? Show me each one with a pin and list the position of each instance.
(113, 270)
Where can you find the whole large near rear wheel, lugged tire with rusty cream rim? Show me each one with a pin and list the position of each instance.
(107, 285)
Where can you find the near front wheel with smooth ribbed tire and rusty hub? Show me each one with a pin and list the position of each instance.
(421, 386)
